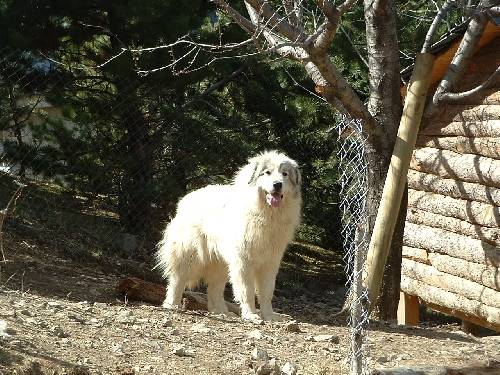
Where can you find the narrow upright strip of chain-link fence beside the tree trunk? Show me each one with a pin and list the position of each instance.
(353, 167)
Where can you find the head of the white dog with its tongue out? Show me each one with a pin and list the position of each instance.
(275, 174)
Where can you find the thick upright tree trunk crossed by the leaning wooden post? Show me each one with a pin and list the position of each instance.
(386, 107)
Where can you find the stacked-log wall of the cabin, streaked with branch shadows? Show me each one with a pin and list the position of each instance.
(451, 252)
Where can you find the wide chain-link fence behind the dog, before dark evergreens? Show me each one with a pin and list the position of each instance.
(106, 158)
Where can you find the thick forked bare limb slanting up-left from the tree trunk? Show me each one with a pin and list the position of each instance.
(285, 36)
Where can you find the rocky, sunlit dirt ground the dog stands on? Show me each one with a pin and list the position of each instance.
(60, 316)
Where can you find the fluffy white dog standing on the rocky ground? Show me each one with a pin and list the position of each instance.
(235, 232)
